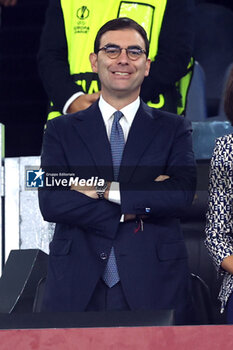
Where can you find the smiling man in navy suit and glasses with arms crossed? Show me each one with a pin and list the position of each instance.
(127, 222)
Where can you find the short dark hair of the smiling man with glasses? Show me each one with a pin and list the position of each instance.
(119, 24)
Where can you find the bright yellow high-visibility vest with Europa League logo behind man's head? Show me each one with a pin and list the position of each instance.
(84, 18)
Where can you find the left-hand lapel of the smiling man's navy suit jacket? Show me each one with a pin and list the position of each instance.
(93, 133)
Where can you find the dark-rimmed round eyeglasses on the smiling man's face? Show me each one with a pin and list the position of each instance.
(114, 51)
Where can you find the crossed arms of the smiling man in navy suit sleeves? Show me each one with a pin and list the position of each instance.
(79, 206)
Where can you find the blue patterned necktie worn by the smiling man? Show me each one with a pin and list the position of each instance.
(117, 141)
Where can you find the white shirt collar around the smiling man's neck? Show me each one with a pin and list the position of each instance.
(129, 111)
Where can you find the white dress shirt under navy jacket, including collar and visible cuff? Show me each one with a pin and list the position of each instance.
(126, 121)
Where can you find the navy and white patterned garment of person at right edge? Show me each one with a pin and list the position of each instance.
(219, 225)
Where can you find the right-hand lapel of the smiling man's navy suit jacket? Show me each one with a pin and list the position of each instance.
(142, 132)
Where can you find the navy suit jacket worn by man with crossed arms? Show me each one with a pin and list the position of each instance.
(152, 263)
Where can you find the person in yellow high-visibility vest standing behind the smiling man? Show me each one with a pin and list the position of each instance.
(68, 37)
